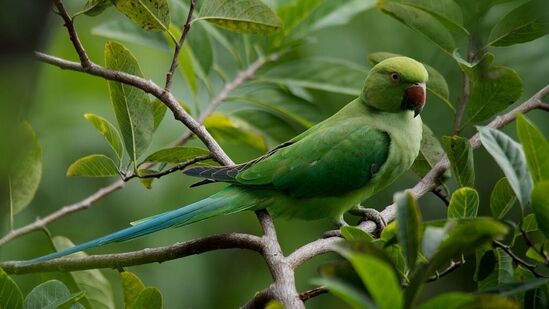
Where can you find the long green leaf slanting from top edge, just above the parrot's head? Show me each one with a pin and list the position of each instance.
(421, 21)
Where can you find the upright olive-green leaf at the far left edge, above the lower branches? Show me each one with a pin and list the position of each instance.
(26, 172)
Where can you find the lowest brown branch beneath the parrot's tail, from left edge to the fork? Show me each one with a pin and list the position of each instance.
(145, 256)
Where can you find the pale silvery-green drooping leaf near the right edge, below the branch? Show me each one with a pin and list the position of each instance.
(510, 157)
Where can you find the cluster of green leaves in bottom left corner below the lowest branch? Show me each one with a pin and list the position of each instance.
(92, 290)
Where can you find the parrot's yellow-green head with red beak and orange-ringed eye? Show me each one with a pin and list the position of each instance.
(395, 85)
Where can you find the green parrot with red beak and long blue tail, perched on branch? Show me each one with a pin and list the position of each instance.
(323, 172)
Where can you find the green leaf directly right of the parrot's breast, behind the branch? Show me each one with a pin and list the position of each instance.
(430, 153)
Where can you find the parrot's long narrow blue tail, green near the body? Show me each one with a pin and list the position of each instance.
(227, 201)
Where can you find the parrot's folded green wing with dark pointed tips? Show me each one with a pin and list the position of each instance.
(330, 161)
